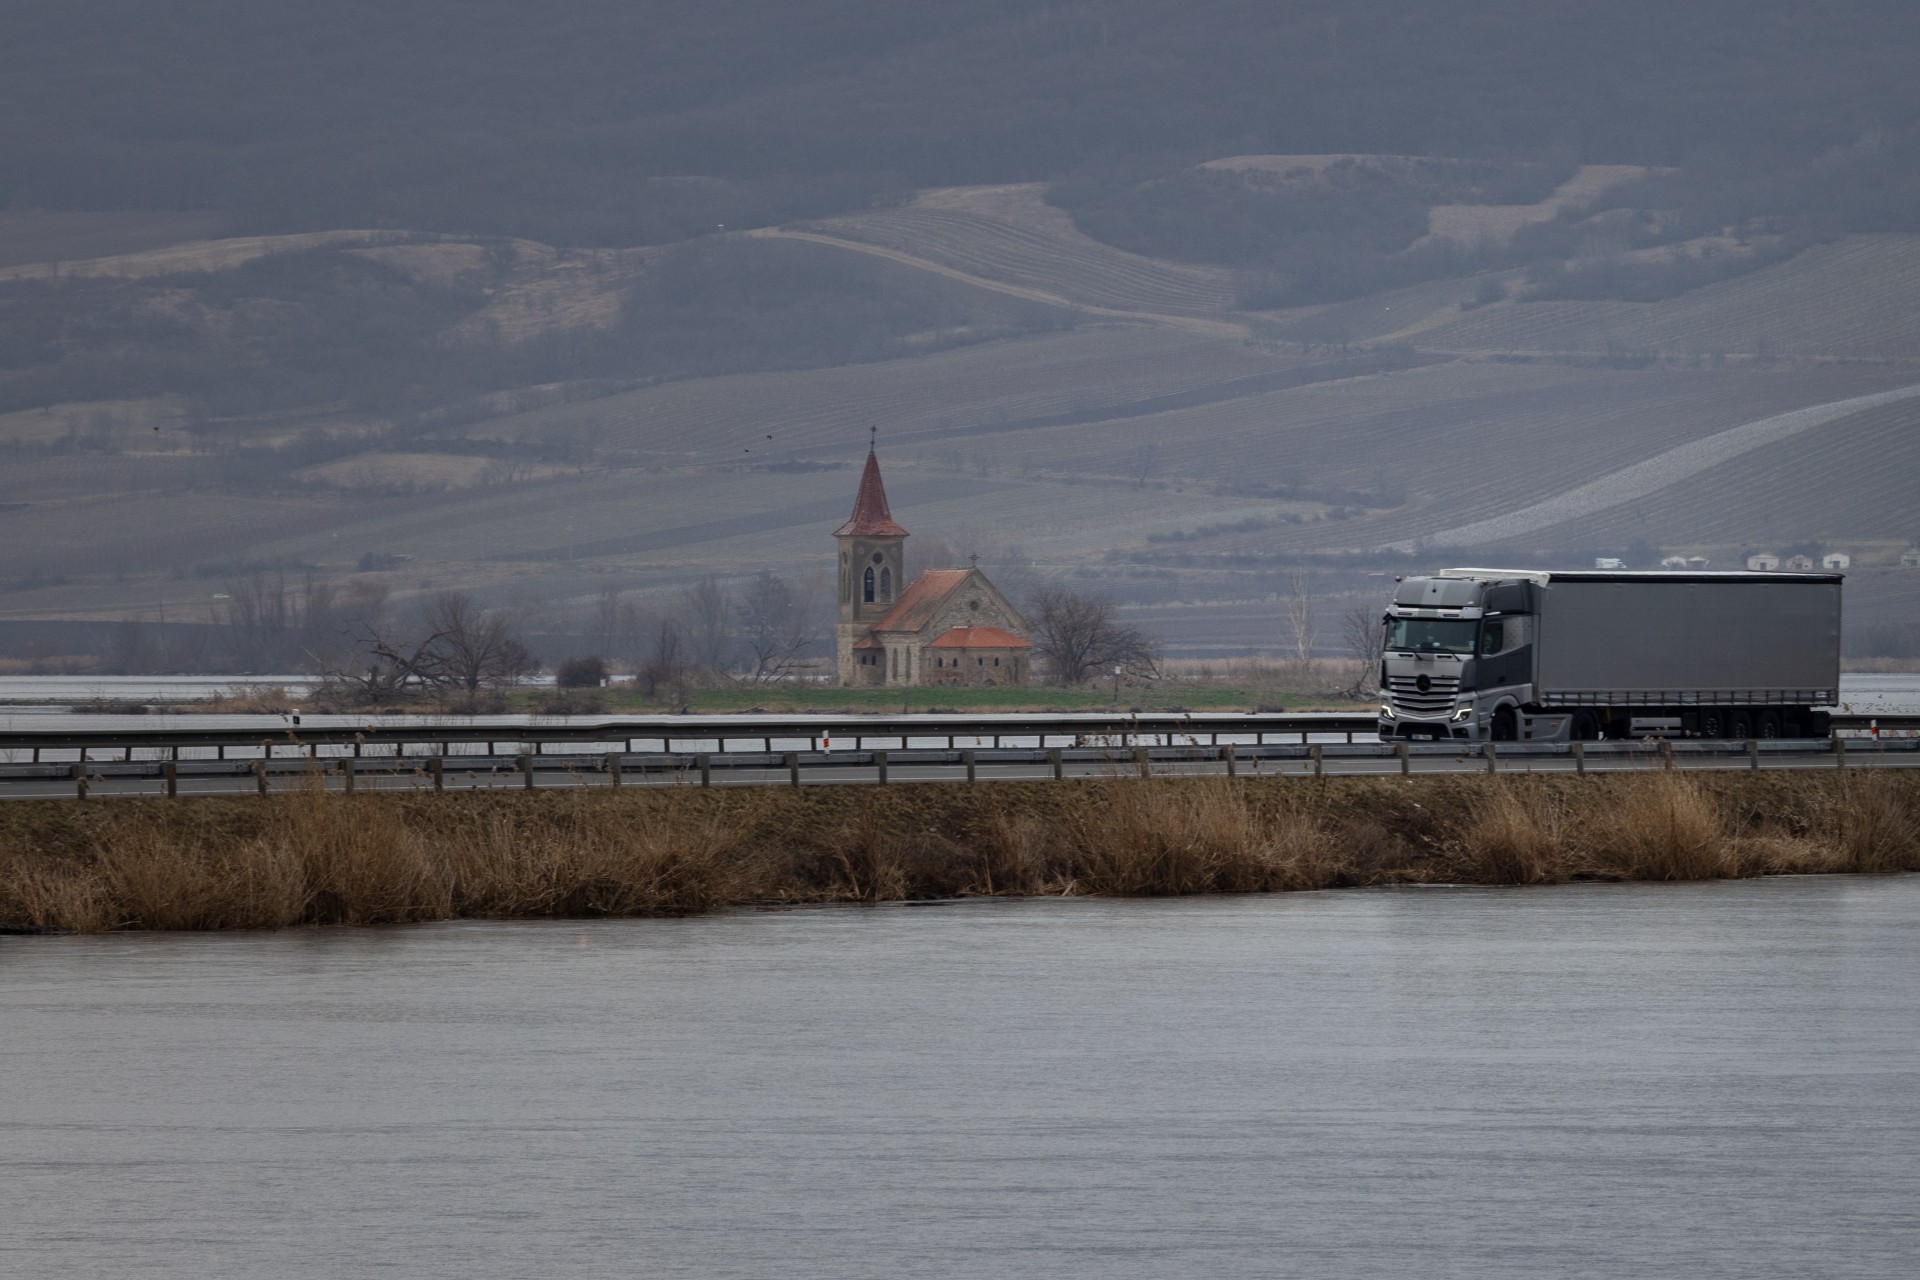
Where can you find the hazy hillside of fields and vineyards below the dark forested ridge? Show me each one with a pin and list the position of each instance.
(1045, 400)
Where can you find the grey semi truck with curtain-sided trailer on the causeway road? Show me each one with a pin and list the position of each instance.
(1552, 657)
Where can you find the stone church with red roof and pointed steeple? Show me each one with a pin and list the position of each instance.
(949, 627)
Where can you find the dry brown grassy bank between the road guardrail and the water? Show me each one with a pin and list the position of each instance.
(320, 859)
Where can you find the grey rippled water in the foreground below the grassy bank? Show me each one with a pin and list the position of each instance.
(1585, 1081)
